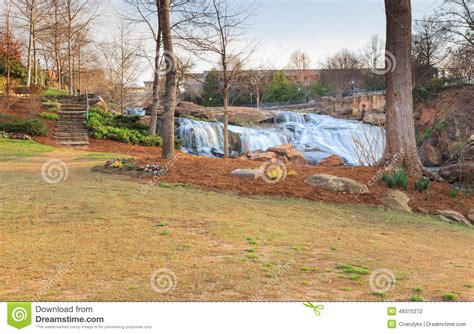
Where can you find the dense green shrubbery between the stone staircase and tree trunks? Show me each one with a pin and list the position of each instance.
(120, 128)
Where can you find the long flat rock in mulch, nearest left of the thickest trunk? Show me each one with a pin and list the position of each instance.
(337, 184)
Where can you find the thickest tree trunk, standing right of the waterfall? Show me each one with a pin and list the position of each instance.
(401, 148)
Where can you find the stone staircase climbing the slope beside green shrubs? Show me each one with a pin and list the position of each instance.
(70, 129)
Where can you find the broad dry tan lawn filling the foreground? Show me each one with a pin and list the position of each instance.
(99, 237)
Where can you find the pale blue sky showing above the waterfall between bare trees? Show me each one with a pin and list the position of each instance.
(318, 27)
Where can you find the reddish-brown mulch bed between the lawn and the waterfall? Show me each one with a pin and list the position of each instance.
(214, 174)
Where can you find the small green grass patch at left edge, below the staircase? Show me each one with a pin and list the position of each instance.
(12, 149)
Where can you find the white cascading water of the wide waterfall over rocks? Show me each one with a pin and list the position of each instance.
(317, 136)
